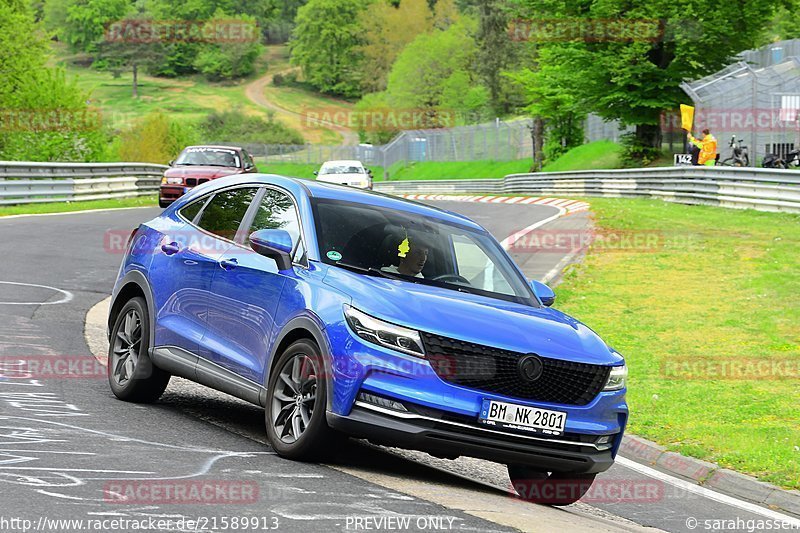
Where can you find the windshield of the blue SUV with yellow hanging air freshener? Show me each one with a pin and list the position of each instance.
(396, 244)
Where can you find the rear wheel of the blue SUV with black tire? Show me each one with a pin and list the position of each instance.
(131, 374)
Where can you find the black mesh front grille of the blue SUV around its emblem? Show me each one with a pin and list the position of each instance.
(495, 370)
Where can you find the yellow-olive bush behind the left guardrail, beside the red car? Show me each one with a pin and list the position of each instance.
(155, 139)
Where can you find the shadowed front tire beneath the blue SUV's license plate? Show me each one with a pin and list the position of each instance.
(546, 488)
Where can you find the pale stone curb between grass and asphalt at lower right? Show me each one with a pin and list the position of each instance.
(711, 475)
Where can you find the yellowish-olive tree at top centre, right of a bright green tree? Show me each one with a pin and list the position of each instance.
(388, 28)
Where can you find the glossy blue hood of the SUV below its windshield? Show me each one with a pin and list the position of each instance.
(473, 318)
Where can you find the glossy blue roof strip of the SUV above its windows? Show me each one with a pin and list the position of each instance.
(330, 191)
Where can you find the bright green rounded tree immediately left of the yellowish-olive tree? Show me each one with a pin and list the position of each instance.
(326, 44)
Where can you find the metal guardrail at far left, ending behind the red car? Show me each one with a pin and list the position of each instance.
(25, 183)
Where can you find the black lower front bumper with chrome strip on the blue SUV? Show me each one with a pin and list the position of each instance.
(447, 438)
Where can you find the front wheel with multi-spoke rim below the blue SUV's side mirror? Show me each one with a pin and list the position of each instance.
(285, 414)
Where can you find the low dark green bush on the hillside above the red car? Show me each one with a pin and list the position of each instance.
(236, 127)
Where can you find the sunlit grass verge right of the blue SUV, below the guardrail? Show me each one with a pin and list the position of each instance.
(723, 285)
